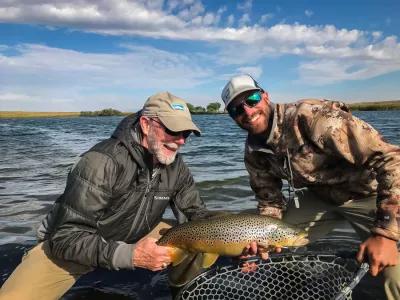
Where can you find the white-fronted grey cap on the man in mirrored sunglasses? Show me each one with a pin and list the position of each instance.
(237, 85)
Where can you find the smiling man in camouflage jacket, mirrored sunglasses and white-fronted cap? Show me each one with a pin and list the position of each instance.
(346, 166)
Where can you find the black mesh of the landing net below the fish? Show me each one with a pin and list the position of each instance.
(280, 277)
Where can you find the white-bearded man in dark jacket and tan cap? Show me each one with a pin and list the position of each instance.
(114, 197)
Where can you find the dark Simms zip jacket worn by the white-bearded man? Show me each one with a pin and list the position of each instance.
(112, 199)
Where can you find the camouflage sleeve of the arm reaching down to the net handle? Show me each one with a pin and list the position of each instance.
(340, 134)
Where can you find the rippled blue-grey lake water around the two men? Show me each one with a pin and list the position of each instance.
(36, 155)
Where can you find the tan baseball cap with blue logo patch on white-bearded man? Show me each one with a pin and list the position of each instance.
(171, 111)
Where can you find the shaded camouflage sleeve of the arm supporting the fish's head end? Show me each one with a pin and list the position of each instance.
(267, 188)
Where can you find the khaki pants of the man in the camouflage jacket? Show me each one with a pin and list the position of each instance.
(320, 217)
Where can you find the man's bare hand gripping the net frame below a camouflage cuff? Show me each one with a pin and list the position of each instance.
(380, 251)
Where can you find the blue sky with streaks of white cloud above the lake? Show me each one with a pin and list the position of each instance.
(77, 55)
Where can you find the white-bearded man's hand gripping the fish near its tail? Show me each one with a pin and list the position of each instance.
(148, 255)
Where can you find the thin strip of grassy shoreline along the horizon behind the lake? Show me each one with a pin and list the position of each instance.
(363, 106)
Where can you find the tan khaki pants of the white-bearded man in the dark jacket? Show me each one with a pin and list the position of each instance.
(40, 276)
